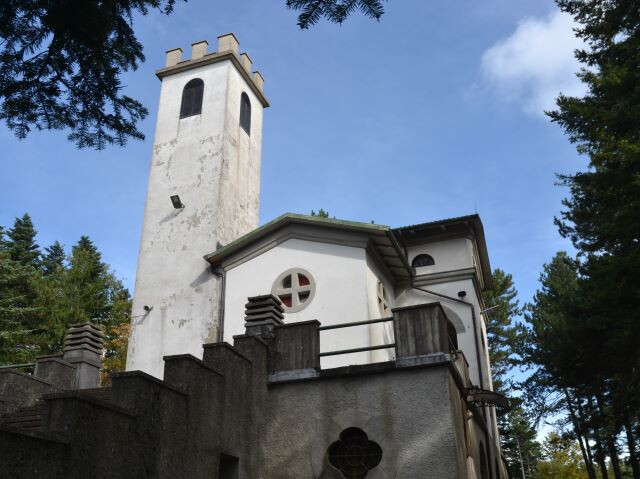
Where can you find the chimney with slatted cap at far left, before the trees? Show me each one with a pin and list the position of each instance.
(83, 347)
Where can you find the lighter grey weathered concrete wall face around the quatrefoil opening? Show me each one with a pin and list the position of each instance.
(406, 412)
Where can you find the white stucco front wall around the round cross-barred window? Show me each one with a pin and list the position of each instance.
(342, 292)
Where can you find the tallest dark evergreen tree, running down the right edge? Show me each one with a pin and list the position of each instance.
(601, 215)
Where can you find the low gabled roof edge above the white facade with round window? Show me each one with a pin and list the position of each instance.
(380, 238)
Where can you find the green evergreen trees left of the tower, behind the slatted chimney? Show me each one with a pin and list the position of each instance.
(41, 298)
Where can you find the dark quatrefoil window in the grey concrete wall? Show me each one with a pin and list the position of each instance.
(354, 455)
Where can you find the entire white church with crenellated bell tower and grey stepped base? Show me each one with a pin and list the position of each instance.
(307, 347)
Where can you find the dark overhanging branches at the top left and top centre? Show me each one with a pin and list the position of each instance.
(61, 63)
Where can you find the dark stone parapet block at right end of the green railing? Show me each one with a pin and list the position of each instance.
(420, 330)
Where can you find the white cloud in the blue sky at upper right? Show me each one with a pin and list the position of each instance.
(535, 63)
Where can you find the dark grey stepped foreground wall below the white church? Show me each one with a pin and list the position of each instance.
(234, 414)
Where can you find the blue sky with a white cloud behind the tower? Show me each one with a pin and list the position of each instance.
(434, 112)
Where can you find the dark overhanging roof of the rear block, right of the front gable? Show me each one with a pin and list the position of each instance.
(461, 225)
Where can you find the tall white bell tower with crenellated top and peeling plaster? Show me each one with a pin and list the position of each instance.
(203, 191)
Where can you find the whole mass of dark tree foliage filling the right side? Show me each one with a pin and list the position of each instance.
(584, 323)
